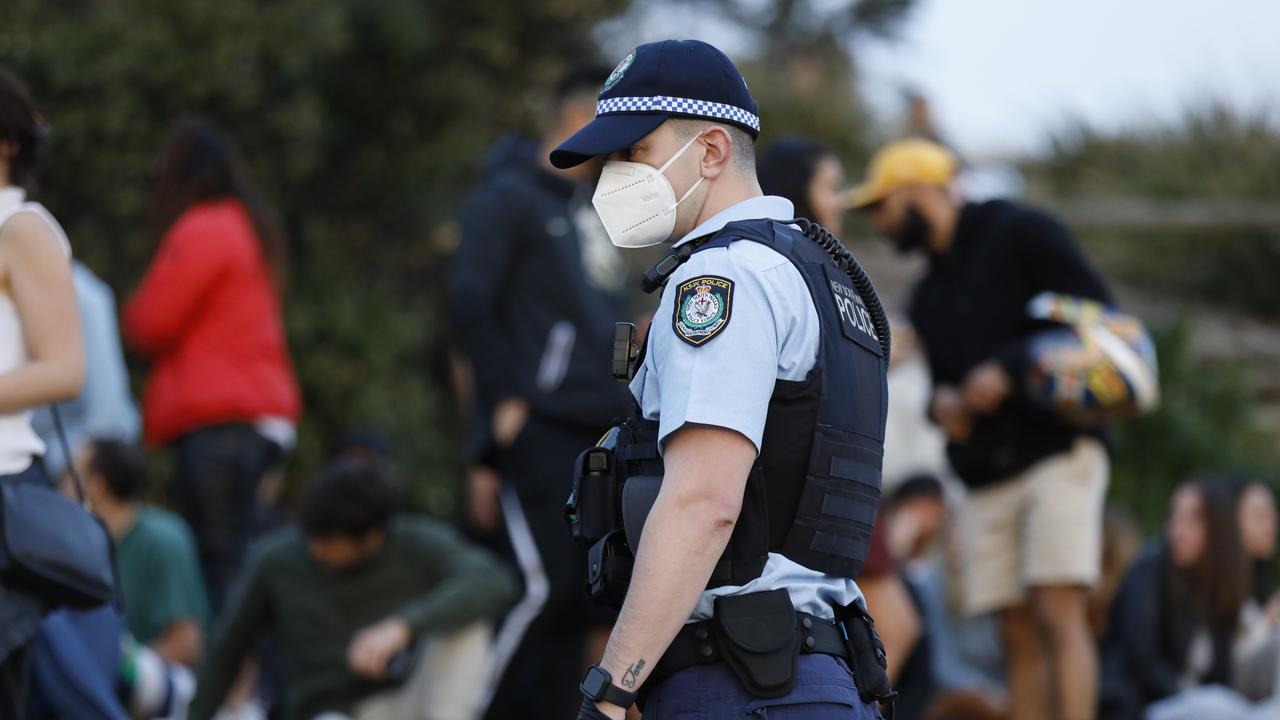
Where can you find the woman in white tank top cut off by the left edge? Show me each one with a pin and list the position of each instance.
(42, 357)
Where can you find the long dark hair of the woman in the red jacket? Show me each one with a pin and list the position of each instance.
(199, 163)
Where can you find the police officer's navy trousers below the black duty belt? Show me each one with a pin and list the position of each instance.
(825, 691)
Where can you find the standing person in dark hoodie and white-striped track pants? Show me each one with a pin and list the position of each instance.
(536, 290)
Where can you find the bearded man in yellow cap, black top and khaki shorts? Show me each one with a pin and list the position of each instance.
(1036, 485)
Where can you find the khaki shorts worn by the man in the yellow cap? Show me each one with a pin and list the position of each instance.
(1040, 528)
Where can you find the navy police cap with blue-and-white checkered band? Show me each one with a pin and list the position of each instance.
(674, 79)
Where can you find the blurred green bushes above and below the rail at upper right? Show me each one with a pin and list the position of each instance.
(1210, 154)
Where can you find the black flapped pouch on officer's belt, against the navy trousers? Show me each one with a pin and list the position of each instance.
(758, 637)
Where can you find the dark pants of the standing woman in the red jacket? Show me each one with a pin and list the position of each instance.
(220, 471)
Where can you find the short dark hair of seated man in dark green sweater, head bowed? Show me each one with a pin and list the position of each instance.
(350, 499)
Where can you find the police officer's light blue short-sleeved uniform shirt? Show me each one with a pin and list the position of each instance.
(772, 335)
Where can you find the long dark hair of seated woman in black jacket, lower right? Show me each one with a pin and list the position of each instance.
(1219, 584)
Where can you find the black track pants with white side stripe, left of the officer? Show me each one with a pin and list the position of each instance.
(542, 678)
